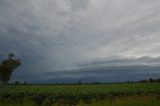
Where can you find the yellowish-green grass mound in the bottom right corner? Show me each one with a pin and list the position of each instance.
(127, 101)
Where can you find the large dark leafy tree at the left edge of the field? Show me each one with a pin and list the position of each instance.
(7, 67)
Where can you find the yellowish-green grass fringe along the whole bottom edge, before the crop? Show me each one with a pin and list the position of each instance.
(135, 100)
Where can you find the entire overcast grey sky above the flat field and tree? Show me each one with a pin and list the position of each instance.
(88, 40)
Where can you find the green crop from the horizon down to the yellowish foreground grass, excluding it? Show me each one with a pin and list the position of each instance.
(72, 94)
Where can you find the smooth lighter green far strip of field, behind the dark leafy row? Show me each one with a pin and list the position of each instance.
(76, 89)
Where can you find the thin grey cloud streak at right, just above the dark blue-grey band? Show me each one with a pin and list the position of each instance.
(122, 61)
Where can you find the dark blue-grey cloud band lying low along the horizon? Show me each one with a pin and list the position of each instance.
(98, 74)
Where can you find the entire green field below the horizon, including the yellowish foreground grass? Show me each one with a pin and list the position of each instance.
(133, 94)
